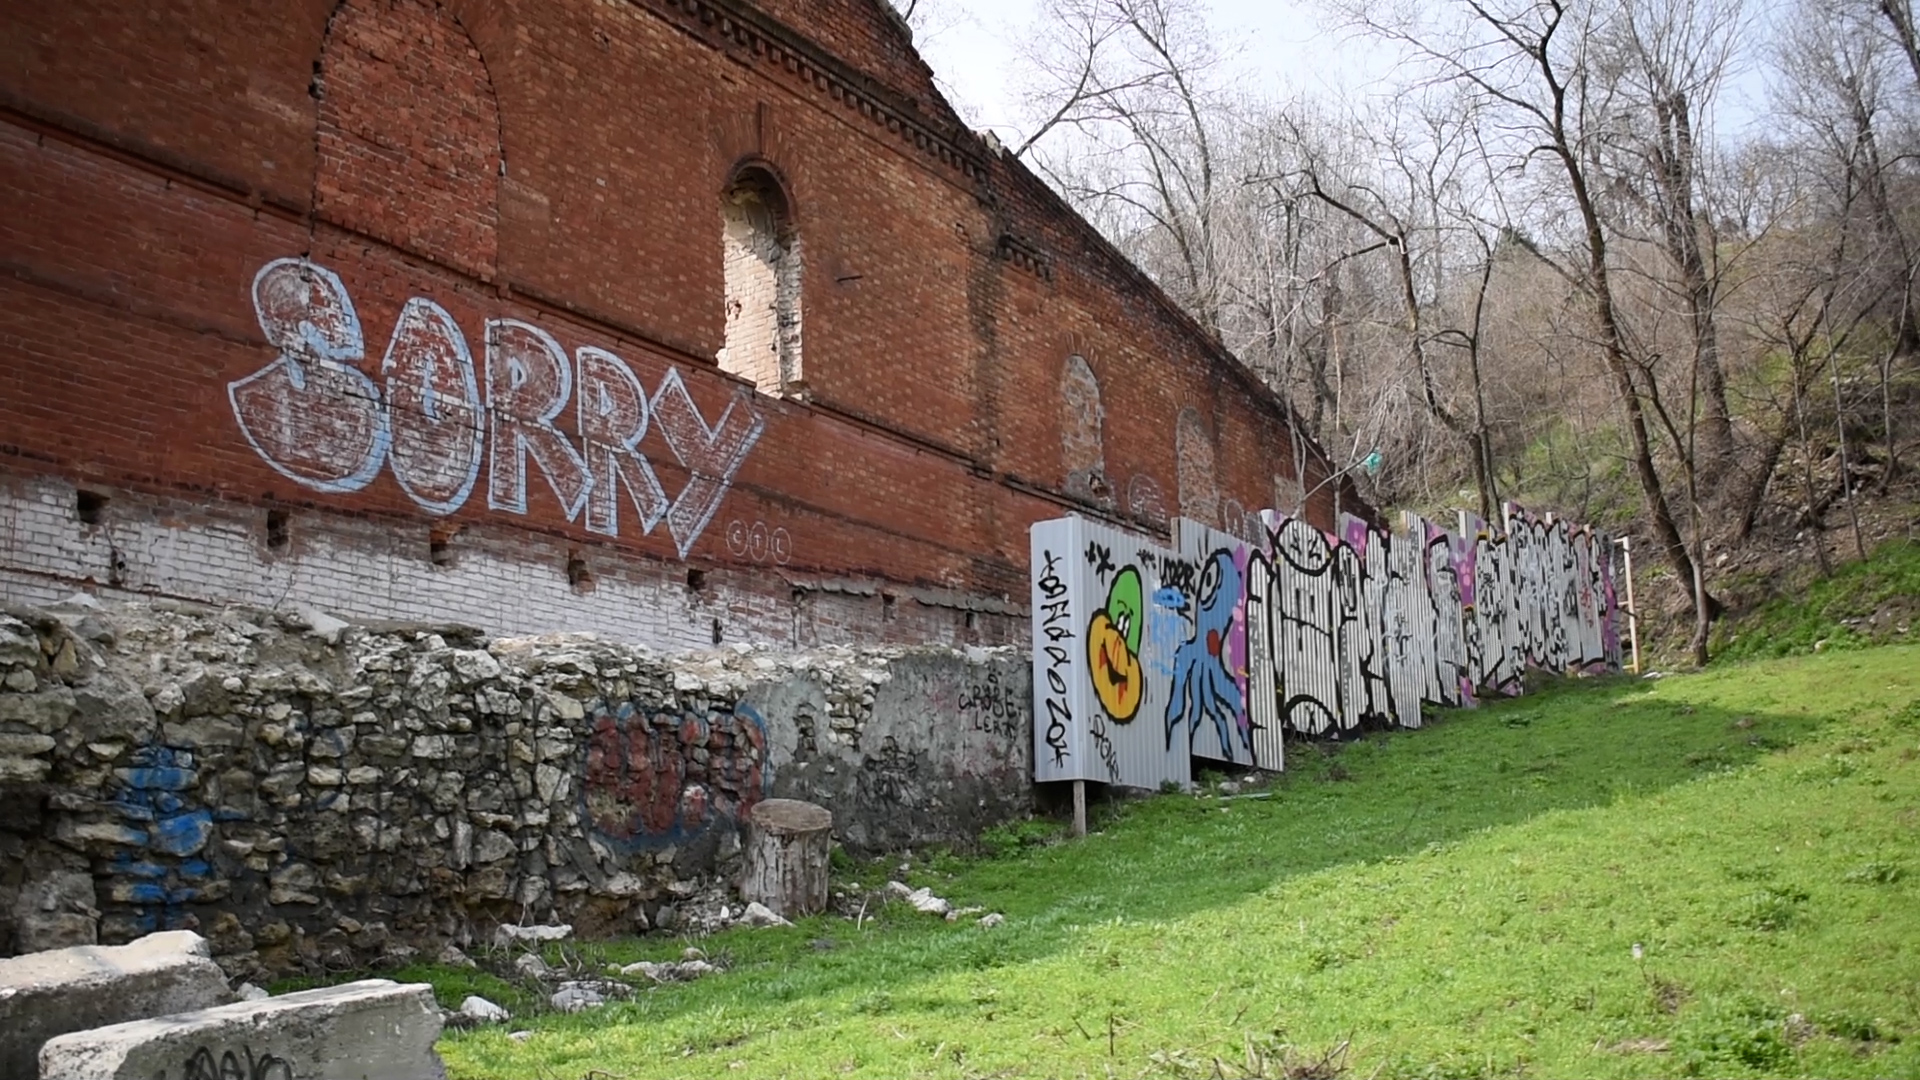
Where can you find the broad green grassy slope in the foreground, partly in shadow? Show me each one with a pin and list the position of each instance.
(1458, 902)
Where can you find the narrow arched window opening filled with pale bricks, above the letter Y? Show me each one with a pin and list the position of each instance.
(763, 283)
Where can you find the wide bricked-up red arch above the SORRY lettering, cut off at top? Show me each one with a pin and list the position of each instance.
(408, 143)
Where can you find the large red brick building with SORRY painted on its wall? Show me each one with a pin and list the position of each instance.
(681, 320)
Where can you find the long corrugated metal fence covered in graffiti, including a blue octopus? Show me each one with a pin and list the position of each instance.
(1218, 647)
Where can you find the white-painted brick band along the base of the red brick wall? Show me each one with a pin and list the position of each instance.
(502, 581)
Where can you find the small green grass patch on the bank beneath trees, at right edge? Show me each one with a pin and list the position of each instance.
(1835, 612)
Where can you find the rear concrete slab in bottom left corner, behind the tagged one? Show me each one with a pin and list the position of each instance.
(89, 987)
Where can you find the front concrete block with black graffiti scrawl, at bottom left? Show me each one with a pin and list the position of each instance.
(370, 1031)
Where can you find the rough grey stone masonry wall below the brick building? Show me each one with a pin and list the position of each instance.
(310, 793)
